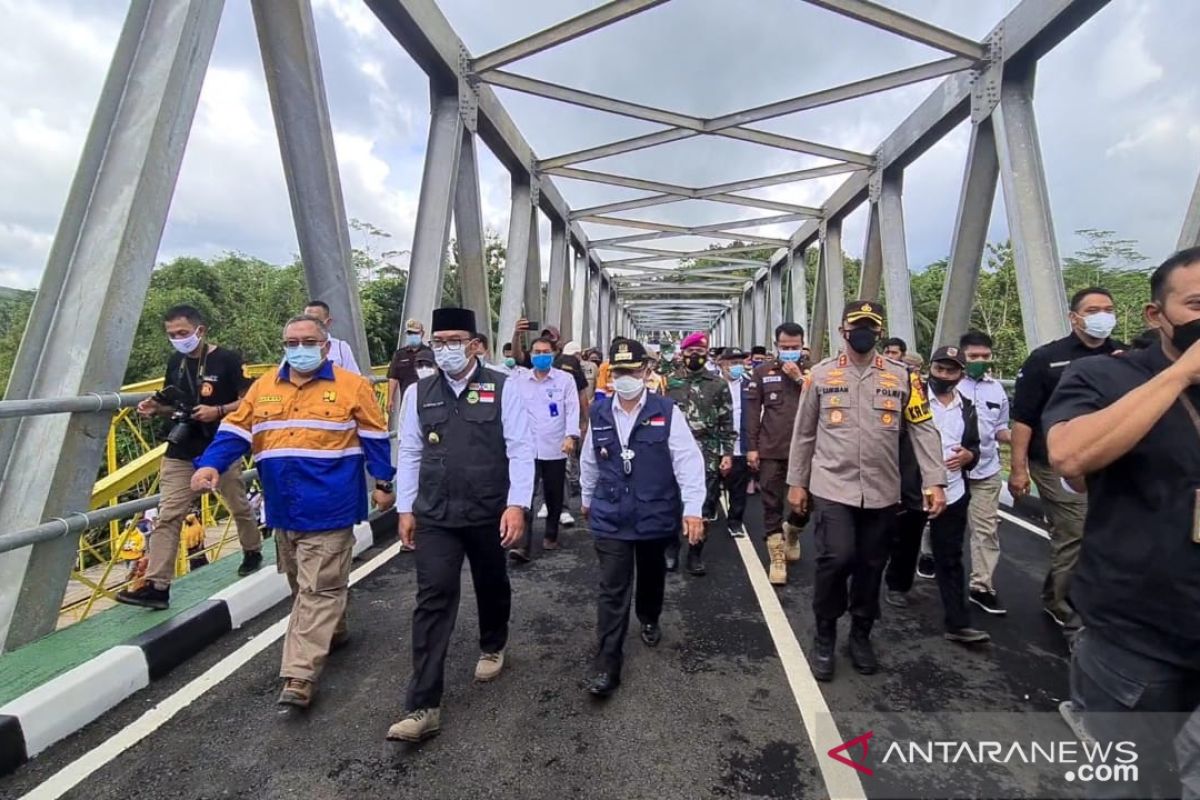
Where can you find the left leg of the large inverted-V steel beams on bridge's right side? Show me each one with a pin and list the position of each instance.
(970, 236)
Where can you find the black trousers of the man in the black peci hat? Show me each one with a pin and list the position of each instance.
(440, 554)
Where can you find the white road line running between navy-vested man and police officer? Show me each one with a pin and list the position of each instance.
(842, 783)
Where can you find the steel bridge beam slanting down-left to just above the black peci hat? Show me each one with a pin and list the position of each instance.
(431, 238)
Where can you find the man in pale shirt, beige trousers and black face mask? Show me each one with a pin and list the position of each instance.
(985, 480)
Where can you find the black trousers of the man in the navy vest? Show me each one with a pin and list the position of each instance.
(620, 560)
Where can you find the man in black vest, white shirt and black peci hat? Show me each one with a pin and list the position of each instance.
(465, 480)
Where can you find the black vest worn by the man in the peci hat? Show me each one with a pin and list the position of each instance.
(465, 464)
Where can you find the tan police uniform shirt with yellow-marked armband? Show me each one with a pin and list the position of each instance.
(847, 443)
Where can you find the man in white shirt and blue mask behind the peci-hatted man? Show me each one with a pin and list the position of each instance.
(553, 402)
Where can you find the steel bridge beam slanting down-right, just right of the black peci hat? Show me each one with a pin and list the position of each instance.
(469, 225)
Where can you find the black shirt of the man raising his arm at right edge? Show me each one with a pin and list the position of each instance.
(1138, 581)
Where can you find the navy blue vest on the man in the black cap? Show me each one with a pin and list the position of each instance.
(645, 504)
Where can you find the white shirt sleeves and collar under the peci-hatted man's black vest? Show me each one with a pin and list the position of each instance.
(518, 436)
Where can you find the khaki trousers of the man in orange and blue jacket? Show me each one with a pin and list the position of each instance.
(319, 569)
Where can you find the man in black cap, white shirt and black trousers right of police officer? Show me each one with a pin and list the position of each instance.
(956, 419)
